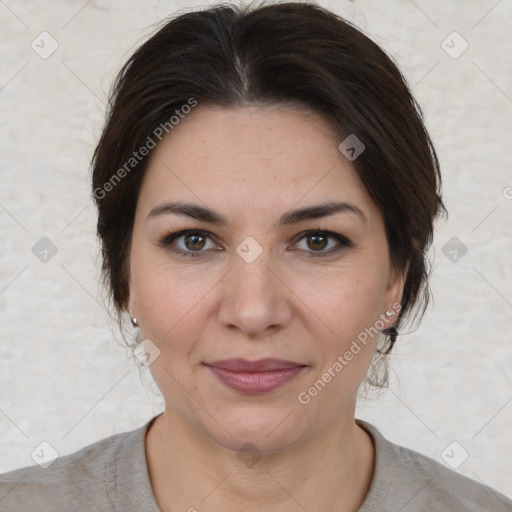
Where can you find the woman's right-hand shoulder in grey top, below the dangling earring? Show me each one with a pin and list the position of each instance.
(409, 481)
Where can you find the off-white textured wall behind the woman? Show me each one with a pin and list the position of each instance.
(64, 374)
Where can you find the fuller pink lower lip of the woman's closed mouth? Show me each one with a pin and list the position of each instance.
(255, 382)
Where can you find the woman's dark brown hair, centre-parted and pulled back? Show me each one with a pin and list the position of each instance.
(287, 53)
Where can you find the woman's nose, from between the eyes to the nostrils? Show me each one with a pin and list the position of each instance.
(255, 298)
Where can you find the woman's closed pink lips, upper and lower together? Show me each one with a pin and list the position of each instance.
(254, 377)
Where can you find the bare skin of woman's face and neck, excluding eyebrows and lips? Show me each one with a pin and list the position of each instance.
(251, 165)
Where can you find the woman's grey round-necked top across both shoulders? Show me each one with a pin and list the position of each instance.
(112, 475)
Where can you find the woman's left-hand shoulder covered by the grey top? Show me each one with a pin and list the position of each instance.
(84, 480)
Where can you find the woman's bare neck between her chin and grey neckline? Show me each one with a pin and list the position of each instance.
(188, 470)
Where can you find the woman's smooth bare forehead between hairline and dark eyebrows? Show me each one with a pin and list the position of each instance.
(260, 158)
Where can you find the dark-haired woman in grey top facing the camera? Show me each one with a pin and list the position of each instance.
(266, 195)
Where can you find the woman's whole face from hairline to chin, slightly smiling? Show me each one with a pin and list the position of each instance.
(255, 285)
